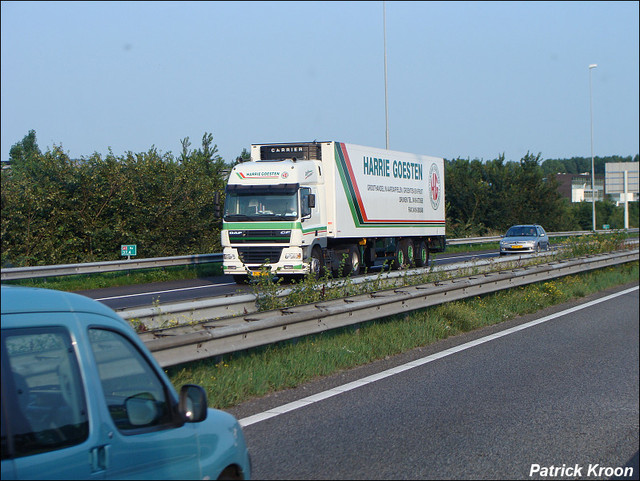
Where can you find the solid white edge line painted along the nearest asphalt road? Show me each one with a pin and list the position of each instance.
(292, 406)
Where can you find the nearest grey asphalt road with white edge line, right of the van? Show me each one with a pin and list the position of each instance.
(559, 393)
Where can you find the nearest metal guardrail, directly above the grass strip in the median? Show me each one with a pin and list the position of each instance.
(214, 338)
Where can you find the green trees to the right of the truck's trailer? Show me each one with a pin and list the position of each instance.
(485, 198)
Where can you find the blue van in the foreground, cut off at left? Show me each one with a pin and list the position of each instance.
(83, 398)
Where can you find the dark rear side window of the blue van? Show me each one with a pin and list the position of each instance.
(43, 391)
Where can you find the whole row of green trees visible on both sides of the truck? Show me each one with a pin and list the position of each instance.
(58, 210)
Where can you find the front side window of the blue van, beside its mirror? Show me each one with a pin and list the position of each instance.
(135, 395)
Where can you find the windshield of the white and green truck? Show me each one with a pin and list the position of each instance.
(261, 206)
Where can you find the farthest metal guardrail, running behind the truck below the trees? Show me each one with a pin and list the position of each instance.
(17, 273)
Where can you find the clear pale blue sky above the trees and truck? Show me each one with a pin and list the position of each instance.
(471, 80)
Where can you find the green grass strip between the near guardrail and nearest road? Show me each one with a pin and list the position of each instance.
(241, 376)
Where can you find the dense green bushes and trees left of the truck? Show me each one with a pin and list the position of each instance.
(58, 210)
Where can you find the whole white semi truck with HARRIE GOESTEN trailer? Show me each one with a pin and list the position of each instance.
(321, 207)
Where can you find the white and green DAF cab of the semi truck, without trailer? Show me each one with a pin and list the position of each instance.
(272, 217)
